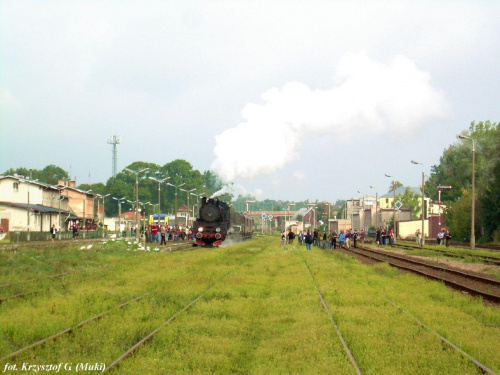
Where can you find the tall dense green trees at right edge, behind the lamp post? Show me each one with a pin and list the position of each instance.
(455, 169)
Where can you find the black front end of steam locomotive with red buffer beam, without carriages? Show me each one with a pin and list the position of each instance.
(213, 223)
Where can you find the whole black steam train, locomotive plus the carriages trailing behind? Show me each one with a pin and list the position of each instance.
(218, 221)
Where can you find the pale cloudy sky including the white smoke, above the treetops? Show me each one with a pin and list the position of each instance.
(288, 100)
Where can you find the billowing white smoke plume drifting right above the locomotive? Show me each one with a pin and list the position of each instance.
(367, 95)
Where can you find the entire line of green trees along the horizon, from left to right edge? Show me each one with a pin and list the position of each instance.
(454, 169)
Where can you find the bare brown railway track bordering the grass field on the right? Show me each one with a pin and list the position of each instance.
(476, 285)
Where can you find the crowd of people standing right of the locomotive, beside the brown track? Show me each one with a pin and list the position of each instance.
(322, 239)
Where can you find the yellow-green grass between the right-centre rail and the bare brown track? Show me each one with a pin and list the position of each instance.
(356, 294)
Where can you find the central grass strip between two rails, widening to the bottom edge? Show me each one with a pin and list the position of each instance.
(264, 318)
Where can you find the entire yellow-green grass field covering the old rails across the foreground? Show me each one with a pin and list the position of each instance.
(259, 314)
